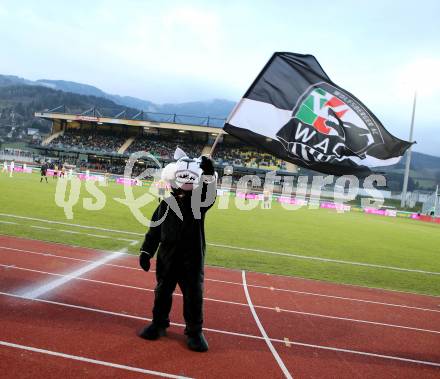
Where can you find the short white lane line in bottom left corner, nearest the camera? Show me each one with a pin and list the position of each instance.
(89, 360)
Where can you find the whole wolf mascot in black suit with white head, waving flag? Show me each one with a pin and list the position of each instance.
(178, 231)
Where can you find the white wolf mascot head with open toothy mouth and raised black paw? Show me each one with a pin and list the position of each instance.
(187, 173)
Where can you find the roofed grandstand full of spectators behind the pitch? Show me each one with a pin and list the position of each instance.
(104, 142)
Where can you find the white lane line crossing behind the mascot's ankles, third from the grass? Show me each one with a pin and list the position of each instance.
(329, 348)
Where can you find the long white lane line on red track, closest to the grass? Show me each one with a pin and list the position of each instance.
(240, 284)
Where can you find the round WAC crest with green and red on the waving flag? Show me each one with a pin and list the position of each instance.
(328, 125)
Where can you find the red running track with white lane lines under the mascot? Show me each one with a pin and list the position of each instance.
(86, 326)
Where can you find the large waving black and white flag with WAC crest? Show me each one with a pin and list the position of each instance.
(295, 112)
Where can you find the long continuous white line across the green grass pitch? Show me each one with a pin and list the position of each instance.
(289, 255)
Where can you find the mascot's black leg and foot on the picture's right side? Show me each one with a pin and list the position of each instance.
(192, 291)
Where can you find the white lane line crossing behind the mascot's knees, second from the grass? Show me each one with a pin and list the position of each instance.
(277, 309)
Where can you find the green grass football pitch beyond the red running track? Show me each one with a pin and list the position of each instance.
(351, 237)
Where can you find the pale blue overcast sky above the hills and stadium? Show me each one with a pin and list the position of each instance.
(179, 51)
